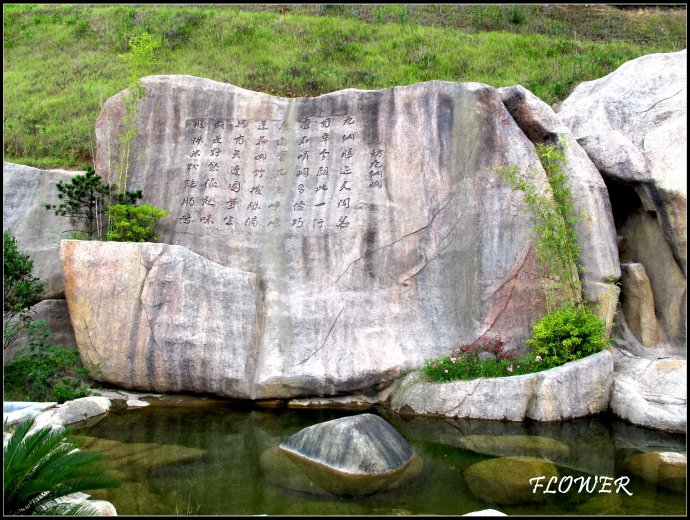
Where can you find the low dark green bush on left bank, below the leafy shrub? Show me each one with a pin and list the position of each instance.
(45, 372)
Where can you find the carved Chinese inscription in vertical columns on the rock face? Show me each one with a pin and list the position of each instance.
(305, 176)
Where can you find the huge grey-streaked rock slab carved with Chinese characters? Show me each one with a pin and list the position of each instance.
(364, 275)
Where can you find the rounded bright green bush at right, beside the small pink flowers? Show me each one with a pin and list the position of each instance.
(567, 334)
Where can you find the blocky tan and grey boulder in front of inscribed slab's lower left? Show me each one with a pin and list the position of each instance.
(162, 318)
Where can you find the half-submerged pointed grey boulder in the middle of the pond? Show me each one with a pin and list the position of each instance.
(351, 456)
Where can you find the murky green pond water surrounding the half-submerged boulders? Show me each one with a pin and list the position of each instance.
(206, 461)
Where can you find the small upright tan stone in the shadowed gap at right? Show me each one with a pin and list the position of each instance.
(638, 304)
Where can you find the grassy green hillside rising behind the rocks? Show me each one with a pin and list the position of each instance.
(61, 62)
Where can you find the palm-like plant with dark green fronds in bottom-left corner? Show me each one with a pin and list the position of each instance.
(41, 468)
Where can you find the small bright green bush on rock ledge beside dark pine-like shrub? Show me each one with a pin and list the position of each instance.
(133, 223)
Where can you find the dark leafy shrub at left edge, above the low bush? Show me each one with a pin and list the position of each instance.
(20, 289)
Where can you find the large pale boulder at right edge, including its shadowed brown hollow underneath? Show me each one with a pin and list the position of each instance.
(633, 125)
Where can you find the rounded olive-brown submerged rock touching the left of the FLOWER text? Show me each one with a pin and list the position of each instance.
(505, 480)
